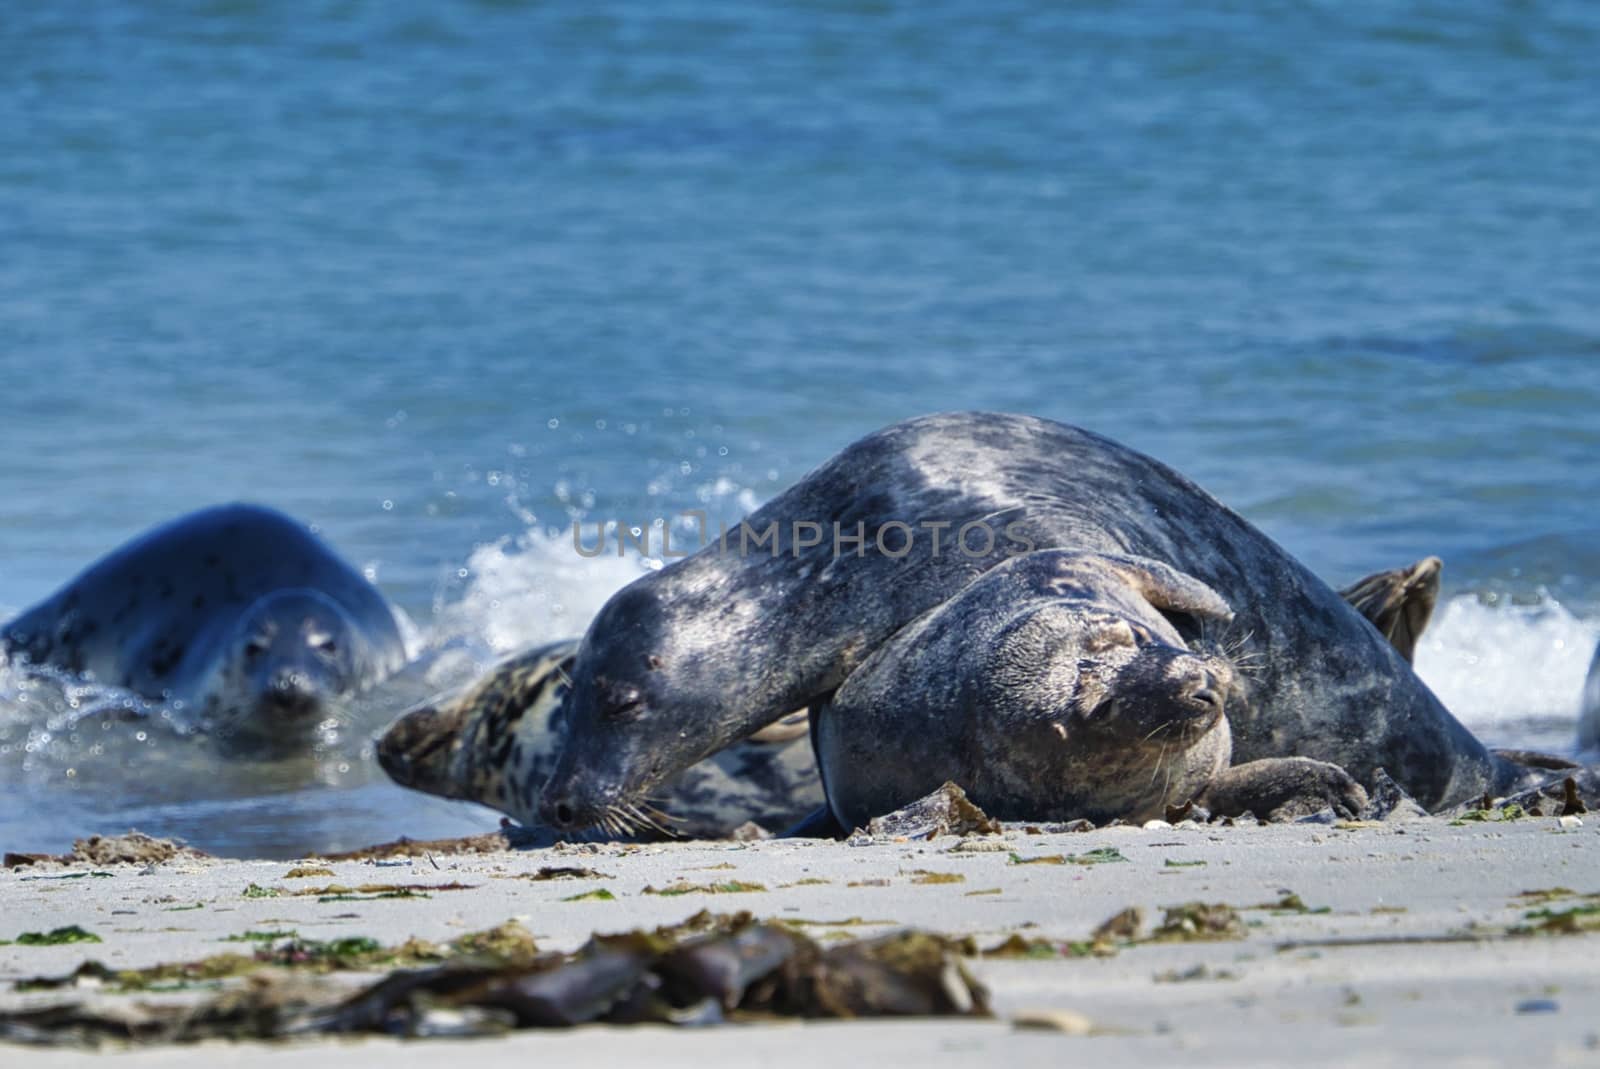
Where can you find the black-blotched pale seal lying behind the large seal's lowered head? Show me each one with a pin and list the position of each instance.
(495, 743)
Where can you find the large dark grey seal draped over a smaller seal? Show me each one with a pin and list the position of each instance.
(702, 654)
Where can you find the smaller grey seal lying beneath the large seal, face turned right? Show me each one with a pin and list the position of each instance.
(1057, 687)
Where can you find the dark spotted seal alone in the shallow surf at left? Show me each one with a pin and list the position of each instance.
(234, 612)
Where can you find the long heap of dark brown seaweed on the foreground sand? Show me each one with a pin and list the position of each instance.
(706, 971)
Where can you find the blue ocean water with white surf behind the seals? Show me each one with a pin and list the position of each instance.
(441, 281)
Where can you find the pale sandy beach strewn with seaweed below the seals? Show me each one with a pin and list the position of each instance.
(1417, 942)
